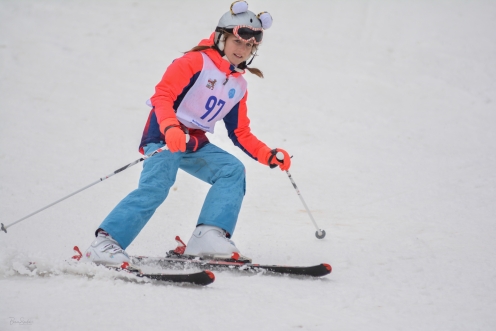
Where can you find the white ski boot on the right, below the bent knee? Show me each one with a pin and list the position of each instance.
(211, 242)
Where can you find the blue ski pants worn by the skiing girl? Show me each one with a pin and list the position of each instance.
(211, 164)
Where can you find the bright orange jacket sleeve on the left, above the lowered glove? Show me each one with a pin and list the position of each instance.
(177, 79)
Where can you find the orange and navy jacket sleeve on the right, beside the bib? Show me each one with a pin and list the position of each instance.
(238, 127)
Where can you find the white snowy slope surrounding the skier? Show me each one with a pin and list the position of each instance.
(389, 108)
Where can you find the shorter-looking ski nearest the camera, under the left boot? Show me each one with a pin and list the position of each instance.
(203, 278)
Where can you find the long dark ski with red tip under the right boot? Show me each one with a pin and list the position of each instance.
(185, 262)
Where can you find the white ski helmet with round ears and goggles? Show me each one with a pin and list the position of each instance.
(240, 17)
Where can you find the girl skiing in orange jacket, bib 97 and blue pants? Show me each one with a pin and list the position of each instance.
(199, 89)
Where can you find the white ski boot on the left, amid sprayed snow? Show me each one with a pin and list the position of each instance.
(105, 250)
